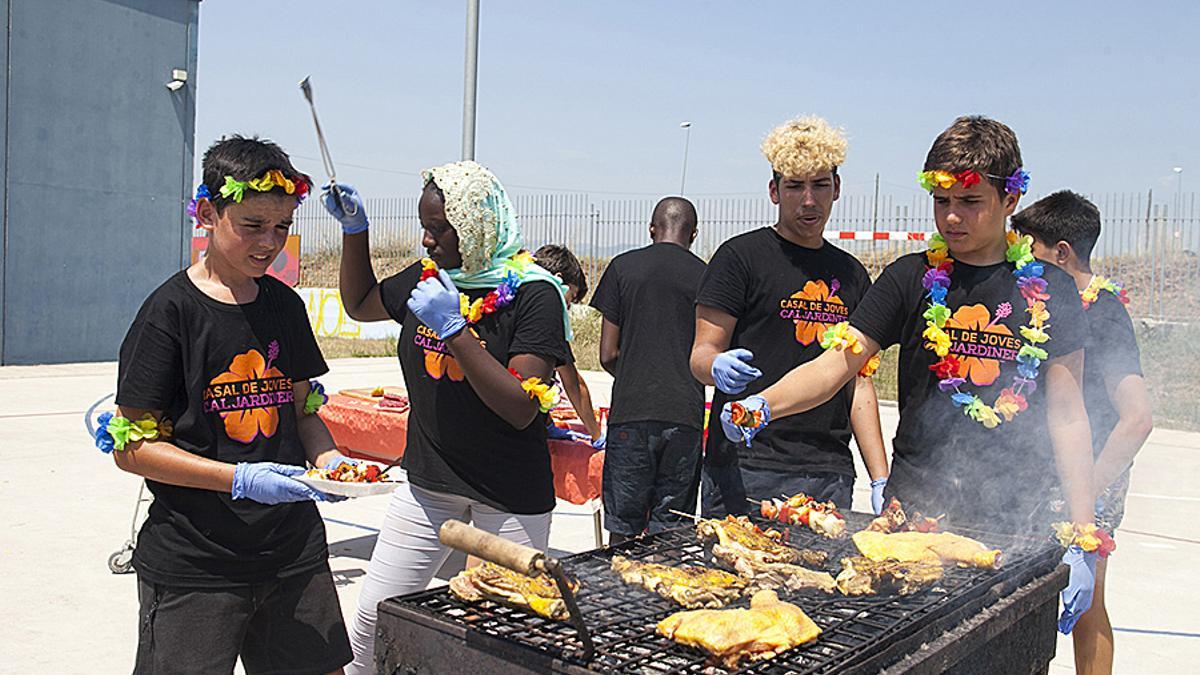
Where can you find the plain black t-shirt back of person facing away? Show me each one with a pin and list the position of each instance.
(651, 295)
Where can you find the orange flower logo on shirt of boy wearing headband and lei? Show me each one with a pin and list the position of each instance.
(982, 343)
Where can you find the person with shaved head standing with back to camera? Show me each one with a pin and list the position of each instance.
(652, 464)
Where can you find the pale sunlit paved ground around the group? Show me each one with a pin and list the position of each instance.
(67, 509)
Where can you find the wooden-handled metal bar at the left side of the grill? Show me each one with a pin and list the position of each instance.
(519, 559)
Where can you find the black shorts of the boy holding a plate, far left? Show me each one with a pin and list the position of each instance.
(291, 625)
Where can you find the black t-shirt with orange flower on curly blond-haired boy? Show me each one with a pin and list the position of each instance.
(784, 297)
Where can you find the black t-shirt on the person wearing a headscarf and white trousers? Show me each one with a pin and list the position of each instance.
(455, 443)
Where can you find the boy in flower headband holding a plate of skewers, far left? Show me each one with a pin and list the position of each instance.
(217, 414)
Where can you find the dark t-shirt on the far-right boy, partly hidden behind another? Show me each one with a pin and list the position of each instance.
(1112, 353)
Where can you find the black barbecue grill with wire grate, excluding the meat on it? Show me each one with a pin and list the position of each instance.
(971, 622)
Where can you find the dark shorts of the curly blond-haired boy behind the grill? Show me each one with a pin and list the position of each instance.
(728, 491)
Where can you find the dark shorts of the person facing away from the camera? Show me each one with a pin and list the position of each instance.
(650, 470)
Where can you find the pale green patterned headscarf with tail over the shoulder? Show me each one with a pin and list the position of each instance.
(489, 234)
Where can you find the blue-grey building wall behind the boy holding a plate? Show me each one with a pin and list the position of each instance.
(98, 169)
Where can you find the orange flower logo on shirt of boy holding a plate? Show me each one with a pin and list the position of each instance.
(249, 393)
